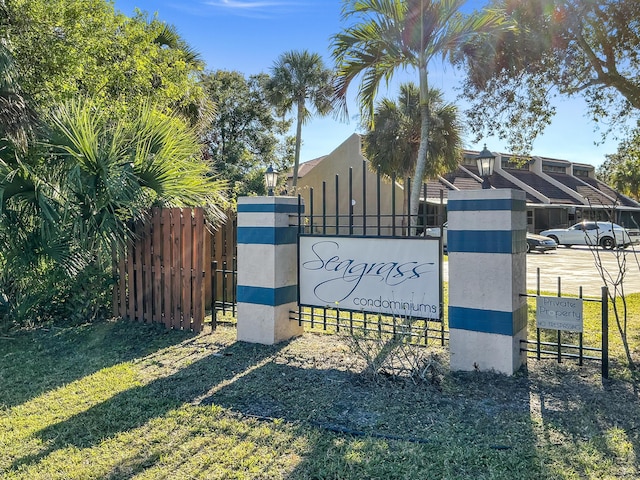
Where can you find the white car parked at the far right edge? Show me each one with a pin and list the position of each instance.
(605, 234)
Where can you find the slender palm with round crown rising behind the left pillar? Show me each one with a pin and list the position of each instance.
(298, 78)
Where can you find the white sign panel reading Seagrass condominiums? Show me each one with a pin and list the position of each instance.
(382, 275)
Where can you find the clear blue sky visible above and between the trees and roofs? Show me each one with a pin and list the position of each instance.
(248, 35)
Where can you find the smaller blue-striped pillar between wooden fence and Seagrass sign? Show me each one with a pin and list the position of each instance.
(267, 269)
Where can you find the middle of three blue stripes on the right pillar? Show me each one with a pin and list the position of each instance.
(486, 241)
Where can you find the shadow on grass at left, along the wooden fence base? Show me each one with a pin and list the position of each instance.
(33, 362)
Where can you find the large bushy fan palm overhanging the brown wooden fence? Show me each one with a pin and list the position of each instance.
(65, 207)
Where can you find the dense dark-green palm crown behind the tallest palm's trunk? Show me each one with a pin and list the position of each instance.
(392, 144)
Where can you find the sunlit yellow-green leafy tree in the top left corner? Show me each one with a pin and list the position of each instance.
(64, 49)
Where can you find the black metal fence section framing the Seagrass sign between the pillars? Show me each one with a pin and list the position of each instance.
(381, 210)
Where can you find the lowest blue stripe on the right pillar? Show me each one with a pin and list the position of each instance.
(488, 321)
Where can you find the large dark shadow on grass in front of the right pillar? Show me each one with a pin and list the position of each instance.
(469, 430)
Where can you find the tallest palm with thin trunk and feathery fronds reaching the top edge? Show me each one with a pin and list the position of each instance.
(400, 34)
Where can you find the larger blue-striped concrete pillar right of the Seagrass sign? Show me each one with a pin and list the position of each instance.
(487, 273)
